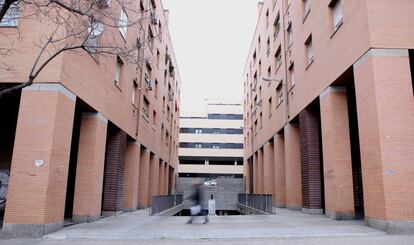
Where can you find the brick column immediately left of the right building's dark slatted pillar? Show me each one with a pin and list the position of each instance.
(293, 170)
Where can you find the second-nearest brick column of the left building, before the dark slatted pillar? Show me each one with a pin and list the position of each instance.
(90, 168)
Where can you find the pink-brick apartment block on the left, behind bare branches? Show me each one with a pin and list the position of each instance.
(94, 135)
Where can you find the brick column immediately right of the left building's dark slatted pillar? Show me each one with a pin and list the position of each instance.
(131, 176)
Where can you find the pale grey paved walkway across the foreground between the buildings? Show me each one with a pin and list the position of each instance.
(287, 227)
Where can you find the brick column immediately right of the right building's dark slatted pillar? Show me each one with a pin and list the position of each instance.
(337, 159)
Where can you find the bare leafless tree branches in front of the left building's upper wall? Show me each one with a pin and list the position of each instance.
(92, 26)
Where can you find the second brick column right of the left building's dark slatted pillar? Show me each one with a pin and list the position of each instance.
(143, 178)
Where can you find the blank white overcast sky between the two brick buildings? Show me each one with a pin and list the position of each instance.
(211, 40)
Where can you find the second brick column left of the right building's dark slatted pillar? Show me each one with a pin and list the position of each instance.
(279, 171)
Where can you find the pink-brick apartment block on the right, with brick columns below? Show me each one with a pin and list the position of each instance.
(329, 109)
